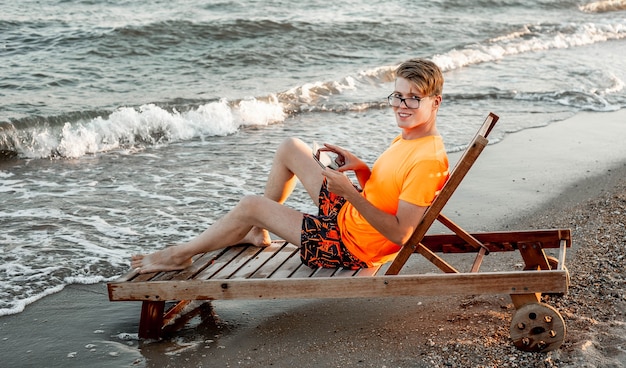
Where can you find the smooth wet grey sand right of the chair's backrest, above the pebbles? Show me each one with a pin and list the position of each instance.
(527, 169)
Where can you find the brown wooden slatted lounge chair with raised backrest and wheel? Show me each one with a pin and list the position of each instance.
(275, 272)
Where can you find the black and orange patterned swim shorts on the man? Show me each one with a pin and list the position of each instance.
(320, 236)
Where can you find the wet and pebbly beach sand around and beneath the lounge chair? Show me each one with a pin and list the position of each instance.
(570, 174)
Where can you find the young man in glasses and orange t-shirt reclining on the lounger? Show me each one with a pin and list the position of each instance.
(353, 228)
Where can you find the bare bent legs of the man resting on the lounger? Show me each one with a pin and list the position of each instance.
(251, 219)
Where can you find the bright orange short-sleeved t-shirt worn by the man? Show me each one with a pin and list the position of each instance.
(410, 170)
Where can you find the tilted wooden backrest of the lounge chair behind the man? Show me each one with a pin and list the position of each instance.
(473, 150)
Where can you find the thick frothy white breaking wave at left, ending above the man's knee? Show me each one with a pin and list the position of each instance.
(129, 127)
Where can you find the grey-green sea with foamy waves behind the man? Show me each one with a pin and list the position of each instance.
(129, 125)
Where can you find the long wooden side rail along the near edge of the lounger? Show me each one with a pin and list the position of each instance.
(518, 282)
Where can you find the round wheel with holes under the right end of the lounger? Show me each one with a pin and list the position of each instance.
(537, 327)
